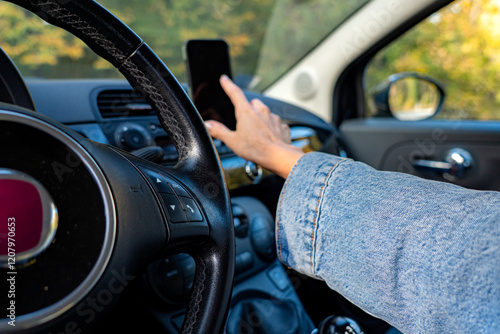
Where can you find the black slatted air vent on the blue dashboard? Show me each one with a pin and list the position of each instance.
(122, 103)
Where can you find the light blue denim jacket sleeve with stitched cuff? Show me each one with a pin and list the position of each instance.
(422, 255)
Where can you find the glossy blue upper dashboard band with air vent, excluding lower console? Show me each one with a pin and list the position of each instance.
(111, 112)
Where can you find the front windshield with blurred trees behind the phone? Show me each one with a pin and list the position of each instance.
(266, 37)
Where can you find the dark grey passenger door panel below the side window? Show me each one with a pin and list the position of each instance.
(392, 145)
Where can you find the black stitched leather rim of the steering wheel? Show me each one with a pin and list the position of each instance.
(114, 41)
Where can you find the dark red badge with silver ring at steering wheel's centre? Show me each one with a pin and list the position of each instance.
(30, 217)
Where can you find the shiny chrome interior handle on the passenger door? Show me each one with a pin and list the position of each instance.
(457, 162)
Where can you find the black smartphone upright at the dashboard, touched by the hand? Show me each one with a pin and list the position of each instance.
(206, 61)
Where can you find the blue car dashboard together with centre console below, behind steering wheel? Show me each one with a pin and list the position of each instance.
(112, 113)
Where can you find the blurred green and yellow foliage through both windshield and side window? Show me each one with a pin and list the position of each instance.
(459, 46)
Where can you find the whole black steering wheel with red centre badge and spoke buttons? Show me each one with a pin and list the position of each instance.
(81, 219)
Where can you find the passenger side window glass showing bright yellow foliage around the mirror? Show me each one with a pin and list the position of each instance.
(458, 47)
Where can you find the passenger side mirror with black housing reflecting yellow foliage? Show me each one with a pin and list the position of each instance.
(408, 96)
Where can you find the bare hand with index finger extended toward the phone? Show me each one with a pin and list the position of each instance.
(259, 136)
